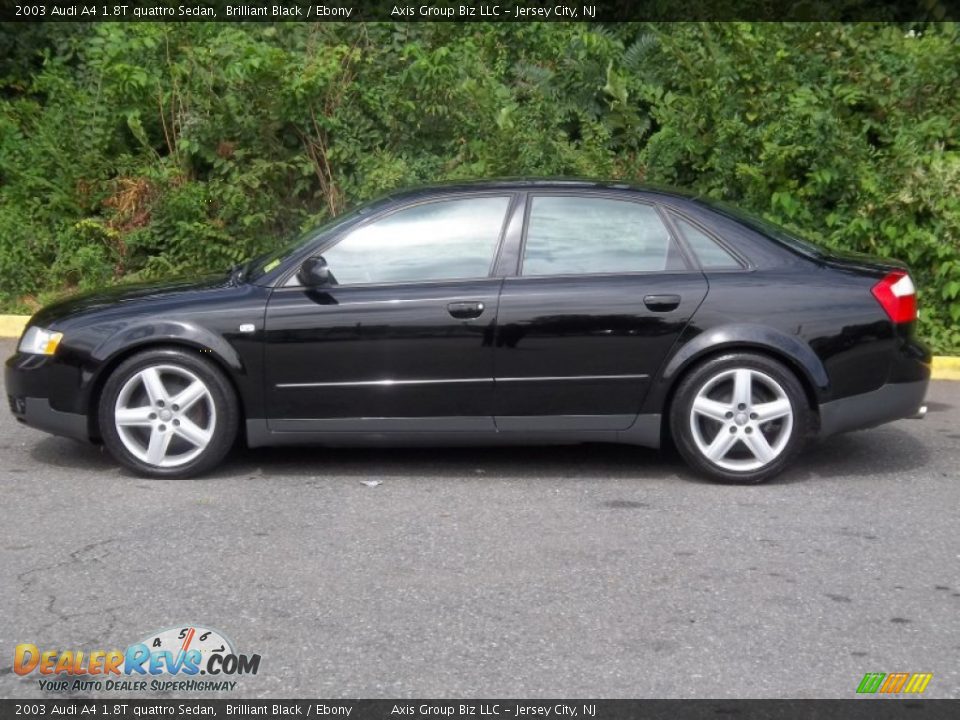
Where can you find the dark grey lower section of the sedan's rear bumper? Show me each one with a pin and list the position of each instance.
(889, 402)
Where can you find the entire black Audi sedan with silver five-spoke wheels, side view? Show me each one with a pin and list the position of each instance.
(513, 311)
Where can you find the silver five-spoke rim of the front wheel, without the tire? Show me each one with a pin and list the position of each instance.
(165, 415)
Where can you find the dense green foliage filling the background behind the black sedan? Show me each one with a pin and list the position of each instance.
(140, 150)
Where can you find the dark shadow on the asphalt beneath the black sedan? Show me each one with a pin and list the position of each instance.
(876, 452)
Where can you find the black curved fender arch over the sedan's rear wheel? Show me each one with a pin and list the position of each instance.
(746, 336)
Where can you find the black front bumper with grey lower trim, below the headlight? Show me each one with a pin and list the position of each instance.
(32, 383)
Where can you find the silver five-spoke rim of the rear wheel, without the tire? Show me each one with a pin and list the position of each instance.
(741, 419)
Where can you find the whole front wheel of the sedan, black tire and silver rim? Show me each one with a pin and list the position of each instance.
(168, 413)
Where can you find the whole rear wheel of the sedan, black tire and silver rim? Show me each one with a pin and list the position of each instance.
(740, 418)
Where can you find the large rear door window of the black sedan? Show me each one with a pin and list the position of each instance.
(582, 235)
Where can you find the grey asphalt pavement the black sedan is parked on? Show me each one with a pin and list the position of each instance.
(588, 571)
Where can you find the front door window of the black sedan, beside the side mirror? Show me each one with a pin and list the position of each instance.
(444, 240)
